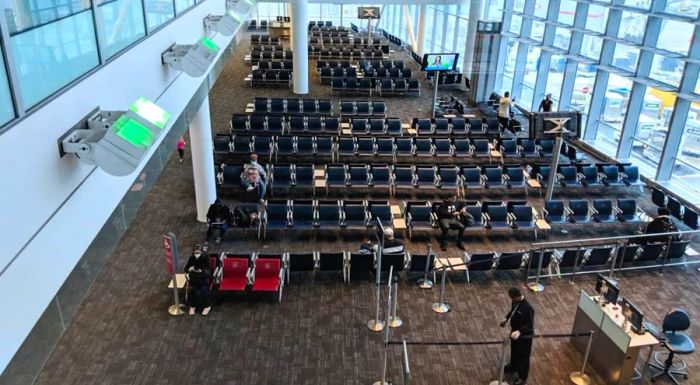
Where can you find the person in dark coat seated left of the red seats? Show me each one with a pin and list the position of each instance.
(199, 275)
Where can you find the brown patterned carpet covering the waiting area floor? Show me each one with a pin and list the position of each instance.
(122, 333)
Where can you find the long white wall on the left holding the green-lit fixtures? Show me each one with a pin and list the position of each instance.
(42, 227)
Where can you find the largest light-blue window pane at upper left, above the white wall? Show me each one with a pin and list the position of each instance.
(49, 57)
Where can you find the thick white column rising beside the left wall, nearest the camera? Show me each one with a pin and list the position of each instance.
(202, 148)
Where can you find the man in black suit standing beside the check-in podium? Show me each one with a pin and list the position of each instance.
(521, 318)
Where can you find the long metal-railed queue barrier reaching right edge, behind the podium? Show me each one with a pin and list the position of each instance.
(618, 243)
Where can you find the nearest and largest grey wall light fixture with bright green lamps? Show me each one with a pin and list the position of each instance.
(116, 141)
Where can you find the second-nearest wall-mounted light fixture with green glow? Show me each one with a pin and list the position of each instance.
(194, 59)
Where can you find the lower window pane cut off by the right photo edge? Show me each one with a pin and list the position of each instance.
(686, 168)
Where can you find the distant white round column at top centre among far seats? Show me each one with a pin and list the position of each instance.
(300, 42)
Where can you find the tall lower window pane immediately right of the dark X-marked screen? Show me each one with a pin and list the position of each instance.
(614, 109)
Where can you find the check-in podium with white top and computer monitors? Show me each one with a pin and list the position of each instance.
(615, 349)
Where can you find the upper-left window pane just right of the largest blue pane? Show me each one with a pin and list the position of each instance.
(121, 23)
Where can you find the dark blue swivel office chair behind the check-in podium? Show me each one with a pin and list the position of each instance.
(677, 343)
